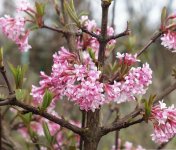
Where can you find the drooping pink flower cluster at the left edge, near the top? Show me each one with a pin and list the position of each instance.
(14, 29)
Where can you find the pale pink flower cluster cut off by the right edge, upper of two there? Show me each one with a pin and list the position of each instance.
(169, 40)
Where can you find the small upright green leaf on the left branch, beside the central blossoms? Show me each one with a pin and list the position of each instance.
(47, 98)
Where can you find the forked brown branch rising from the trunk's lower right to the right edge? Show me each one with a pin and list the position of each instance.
(126, 121)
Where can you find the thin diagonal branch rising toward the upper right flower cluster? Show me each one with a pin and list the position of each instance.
(152, 40)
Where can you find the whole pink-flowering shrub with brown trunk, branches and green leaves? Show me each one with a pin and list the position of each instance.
(83, 77)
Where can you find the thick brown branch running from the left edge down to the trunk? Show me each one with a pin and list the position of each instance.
(62, 122)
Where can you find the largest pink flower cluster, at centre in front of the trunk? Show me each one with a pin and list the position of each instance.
(74, 78)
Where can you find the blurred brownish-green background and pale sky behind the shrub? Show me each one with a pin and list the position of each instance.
(144, 19)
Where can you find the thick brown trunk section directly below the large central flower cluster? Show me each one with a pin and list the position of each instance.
(93, 137)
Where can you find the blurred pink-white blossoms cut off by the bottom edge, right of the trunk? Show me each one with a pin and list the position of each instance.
(127, 146)
